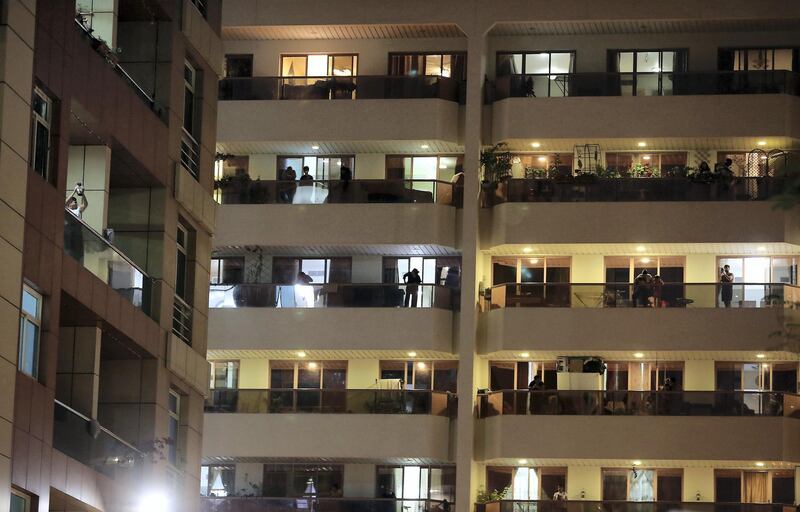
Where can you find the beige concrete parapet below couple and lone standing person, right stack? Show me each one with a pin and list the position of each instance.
(630, 329)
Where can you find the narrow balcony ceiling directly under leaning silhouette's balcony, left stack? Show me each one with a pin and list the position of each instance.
(326, 355)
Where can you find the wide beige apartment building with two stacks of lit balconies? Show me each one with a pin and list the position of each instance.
(531, 160)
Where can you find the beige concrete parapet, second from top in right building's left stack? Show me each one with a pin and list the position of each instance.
(336, 224)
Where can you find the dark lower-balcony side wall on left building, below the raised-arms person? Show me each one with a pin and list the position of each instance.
(78, 373)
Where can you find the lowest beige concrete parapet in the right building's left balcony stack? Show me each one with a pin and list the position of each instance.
(358, 436)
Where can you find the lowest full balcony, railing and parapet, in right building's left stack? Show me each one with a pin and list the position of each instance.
(377, 426)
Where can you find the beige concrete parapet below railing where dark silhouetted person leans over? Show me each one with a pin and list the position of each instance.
(321, 329)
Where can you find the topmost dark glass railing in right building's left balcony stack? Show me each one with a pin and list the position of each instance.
(340, 87)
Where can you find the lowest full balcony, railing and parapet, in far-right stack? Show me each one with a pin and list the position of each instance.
(707, 427)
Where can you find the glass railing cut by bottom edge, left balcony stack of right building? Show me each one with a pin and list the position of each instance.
(315, 504)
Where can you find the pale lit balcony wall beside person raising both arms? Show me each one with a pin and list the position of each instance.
(91, 165)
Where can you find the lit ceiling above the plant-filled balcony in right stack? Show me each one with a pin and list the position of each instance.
(656, 144)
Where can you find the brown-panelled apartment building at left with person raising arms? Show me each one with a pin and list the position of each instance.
(108, 131)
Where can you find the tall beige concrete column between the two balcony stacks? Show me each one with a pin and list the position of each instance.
(467, 469)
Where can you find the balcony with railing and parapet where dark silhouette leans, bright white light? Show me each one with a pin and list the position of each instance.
(350, 316)
